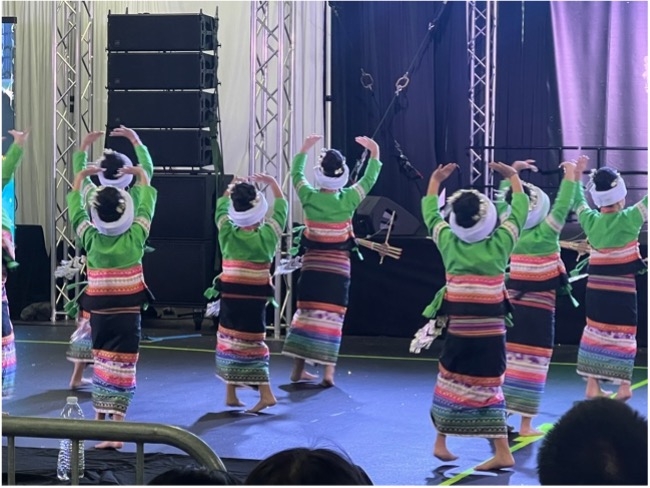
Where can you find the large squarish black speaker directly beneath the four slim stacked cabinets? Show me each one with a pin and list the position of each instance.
(185, 206)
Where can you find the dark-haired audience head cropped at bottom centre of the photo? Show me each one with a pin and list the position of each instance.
(301, 466)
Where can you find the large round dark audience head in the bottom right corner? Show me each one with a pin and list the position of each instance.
(597, 442)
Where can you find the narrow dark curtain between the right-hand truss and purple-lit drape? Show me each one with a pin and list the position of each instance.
(527, 101)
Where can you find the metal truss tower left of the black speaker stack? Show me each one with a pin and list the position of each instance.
(72, 54)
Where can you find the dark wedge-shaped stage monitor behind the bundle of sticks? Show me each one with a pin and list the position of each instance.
(373, 215)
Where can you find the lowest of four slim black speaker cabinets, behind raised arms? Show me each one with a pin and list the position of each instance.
(175, 147)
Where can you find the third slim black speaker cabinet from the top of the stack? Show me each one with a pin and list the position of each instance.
(160, 109)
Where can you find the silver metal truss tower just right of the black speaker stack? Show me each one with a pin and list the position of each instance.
(271, 99)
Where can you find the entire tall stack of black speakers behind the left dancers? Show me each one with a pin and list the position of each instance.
(162, 82)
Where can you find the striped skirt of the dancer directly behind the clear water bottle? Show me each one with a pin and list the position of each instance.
(116, 342)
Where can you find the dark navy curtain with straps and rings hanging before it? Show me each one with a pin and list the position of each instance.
(430, 119)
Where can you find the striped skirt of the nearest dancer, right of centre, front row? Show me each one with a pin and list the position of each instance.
(468, 400)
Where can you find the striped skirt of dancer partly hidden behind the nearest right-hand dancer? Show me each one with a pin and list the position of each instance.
(529, 347)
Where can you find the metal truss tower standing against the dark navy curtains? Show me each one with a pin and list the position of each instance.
(482, 54)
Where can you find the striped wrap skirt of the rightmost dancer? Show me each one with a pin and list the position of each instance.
(608, 343)
